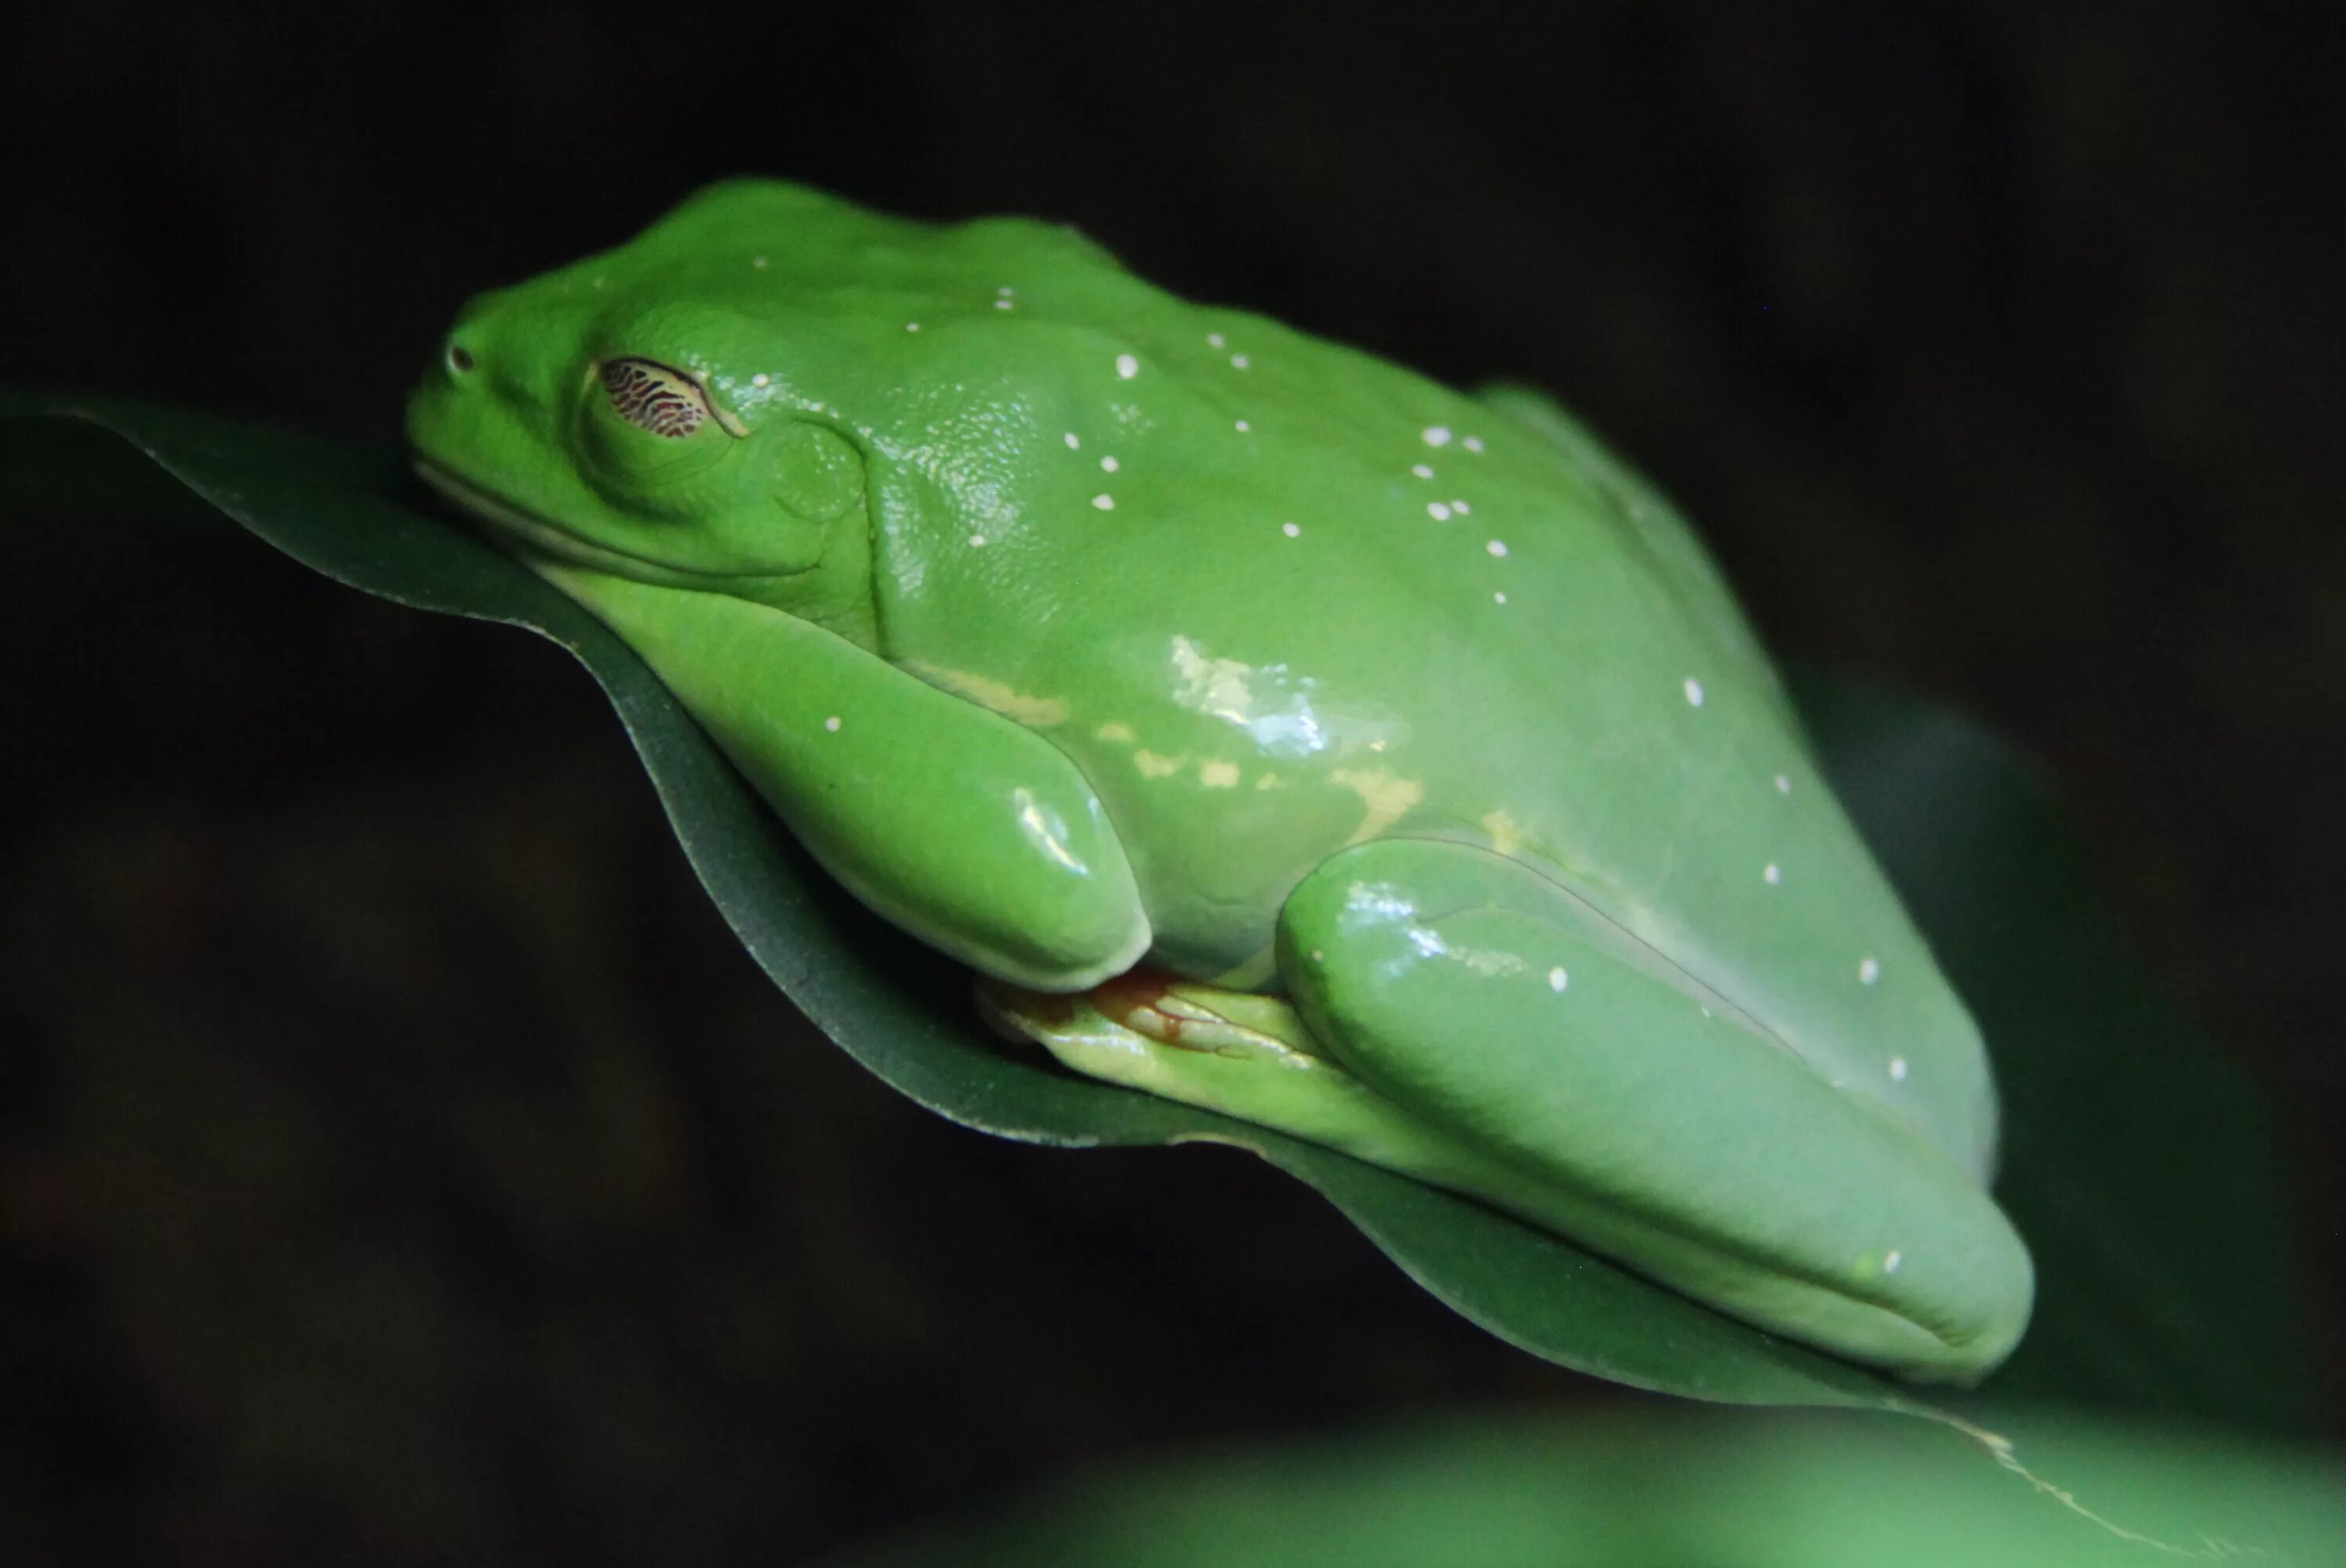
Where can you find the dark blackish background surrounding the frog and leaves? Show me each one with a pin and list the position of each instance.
(400, 1161)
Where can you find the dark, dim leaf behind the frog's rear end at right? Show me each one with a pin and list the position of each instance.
(2143, 1168)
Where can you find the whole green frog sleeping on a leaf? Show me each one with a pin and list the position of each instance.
(1073, 626)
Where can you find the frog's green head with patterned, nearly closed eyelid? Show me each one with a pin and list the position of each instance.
(602, 417)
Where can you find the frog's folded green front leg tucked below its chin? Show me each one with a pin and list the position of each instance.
(954, 823)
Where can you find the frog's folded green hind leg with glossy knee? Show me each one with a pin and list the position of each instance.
(1643, 1114)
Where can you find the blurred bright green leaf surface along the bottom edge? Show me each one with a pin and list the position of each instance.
(1679, 1489)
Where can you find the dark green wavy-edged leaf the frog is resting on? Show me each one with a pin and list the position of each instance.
(355, 515)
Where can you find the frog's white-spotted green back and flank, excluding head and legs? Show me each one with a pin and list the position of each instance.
(1277, 597)
